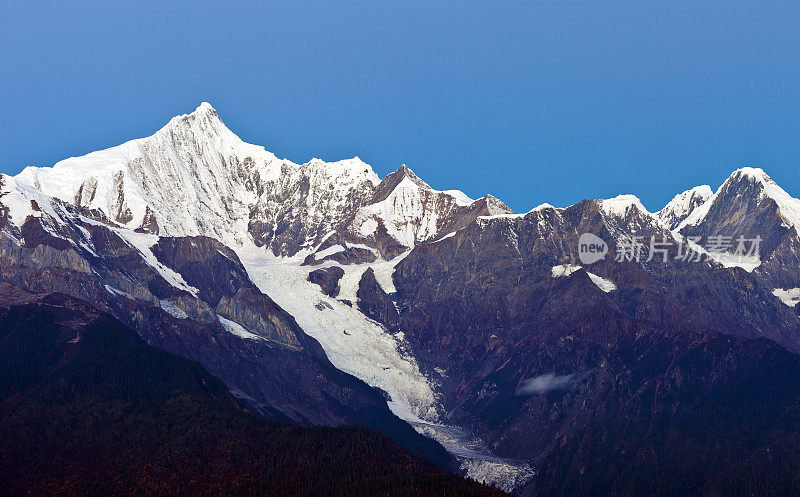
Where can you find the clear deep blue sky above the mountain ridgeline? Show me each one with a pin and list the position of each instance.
(536, 101)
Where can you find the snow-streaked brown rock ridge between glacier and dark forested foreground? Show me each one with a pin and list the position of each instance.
(225, 323)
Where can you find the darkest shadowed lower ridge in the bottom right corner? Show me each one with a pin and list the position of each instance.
(682, 414)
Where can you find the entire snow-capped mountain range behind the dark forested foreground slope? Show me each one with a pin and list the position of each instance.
(321, 294)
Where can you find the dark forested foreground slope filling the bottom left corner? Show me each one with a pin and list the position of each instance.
(87, 408)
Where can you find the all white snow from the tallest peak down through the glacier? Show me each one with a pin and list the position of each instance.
(196, 177)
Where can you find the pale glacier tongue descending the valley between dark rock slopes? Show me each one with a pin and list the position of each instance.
(361, 347)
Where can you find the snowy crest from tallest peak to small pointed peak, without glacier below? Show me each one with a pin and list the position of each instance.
(196, 177)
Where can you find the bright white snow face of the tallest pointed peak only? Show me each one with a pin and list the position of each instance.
(190, 175)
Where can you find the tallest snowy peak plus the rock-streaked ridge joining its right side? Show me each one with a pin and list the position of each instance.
(196, 177)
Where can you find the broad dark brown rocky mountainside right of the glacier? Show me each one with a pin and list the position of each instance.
(606, 390)
